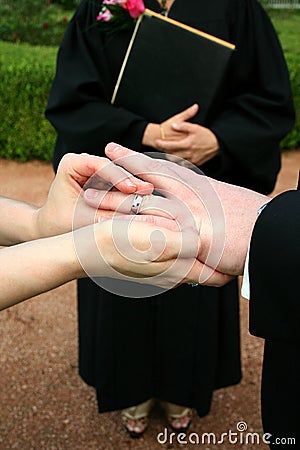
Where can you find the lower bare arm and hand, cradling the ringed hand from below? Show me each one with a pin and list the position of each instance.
(37, 266)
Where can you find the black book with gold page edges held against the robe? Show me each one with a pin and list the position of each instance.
(168, 67)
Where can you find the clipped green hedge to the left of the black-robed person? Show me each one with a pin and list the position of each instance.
(26, 74)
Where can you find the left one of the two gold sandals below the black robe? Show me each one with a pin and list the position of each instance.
(135, 418)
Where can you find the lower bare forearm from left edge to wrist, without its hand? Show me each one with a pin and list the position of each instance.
(35, 267)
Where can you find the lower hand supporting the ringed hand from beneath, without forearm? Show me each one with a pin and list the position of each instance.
(132, 250)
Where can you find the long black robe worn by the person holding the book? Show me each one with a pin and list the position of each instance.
(181, 345)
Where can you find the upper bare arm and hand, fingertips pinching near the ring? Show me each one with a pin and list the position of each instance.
(21, 222)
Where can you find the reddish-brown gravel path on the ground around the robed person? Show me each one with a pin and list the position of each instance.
(44, 403)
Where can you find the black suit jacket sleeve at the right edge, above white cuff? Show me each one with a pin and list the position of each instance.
(274, 270)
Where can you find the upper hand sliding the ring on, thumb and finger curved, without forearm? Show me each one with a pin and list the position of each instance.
(65, 207)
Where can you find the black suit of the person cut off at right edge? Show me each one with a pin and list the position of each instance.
(275, 314)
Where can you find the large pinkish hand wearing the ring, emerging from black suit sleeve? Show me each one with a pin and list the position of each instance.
(221, 215)
